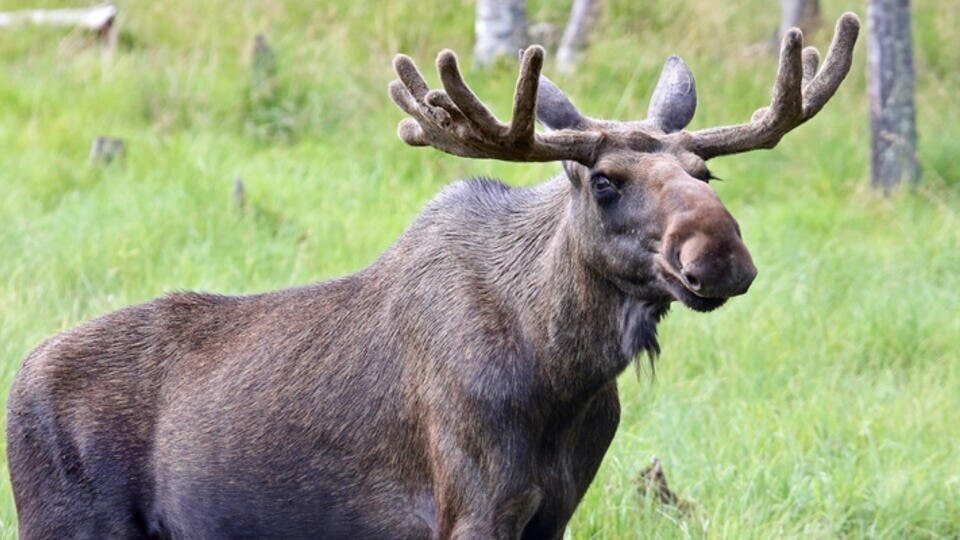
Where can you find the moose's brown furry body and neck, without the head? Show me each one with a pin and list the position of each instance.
(334, 408)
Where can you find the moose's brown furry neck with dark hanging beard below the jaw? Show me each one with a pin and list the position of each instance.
(585, 329)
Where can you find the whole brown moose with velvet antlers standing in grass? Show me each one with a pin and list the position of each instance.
(461, 386)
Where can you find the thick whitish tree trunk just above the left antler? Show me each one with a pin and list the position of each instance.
(501, 28)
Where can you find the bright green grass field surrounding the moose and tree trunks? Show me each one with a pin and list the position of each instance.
(824, 403)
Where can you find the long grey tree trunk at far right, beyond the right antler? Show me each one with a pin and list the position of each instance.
(890, 85)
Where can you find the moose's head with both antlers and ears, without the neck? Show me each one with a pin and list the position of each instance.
(645, 214)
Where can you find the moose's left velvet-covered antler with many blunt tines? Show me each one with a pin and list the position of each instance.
(455, 121)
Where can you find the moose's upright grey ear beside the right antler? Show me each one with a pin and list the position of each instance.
(675, 98)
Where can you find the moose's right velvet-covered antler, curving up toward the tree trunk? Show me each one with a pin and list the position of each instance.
(798, 94)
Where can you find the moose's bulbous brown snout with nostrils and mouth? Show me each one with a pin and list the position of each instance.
(712, 262)
